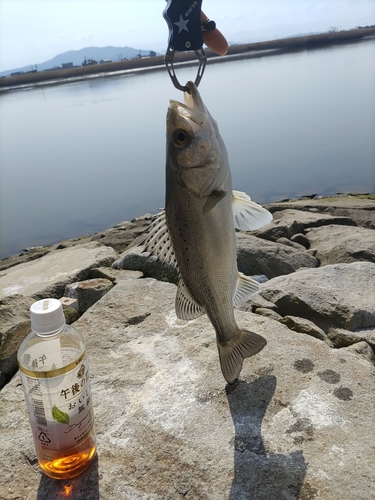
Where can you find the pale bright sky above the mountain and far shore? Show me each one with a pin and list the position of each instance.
(34, 31)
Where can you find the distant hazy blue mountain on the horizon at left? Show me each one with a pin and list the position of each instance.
(78, 56)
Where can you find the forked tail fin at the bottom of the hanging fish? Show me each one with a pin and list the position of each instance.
(232, 354)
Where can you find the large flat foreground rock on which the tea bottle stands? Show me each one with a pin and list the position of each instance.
(296, 426)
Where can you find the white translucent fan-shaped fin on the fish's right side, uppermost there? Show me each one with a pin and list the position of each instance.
(248, 215)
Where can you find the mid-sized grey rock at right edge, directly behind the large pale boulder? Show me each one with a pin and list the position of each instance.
(336, 244)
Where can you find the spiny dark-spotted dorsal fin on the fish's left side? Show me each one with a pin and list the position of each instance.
(158, 241)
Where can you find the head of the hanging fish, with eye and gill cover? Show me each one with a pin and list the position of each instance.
(196, 154)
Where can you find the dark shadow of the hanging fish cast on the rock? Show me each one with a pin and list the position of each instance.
(258, 476)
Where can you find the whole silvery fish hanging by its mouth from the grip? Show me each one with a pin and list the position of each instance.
(195, 231)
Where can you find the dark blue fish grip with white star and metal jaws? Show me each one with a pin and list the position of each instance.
(185, 33)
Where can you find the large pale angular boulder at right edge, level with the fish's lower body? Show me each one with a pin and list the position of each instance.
(327, 296)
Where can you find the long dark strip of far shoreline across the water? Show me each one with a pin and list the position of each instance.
(156, 63)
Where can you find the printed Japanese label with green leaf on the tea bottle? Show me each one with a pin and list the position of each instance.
(60, 407)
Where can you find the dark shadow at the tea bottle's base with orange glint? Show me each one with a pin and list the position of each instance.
(83, 487)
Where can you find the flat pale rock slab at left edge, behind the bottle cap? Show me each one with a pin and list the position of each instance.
(48, 276)
